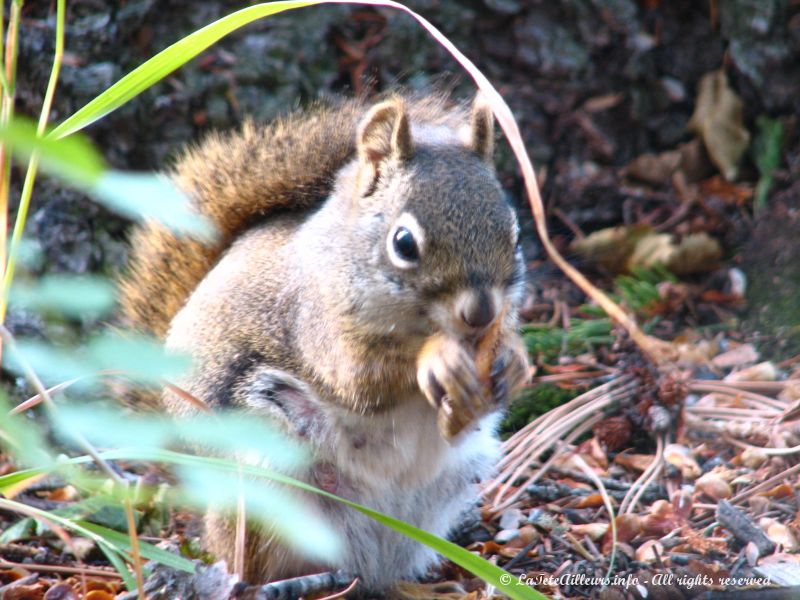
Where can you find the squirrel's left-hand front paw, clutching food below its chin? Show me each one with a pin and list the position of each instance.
(447, 376)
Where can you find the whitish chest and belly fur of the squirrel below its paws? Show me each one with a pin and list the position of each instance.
(398, 464)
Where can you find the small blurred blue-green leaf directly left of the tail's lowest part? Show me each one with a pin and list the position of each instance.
(70, 295)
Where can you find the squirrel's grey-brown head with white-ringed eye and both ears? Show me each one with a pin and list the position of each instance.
(435, 242)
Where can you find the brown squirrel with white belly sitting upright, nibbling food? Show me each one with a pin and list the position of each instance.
(364, 252)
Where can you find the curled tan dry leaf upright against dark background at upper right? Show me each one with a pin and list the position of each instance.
(718, 121)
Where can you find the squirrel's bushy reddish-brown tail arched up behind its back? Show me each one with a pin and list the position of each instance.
(237, 180)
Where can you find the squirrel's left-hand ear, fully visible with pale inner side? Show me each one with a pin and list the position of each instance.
(383, 135)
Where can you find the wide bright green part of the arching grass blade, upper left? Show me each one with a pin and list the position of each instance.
(166, 61)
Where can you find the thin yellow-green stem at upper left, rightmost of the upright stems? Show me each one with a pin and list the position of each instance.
(33, 163)
